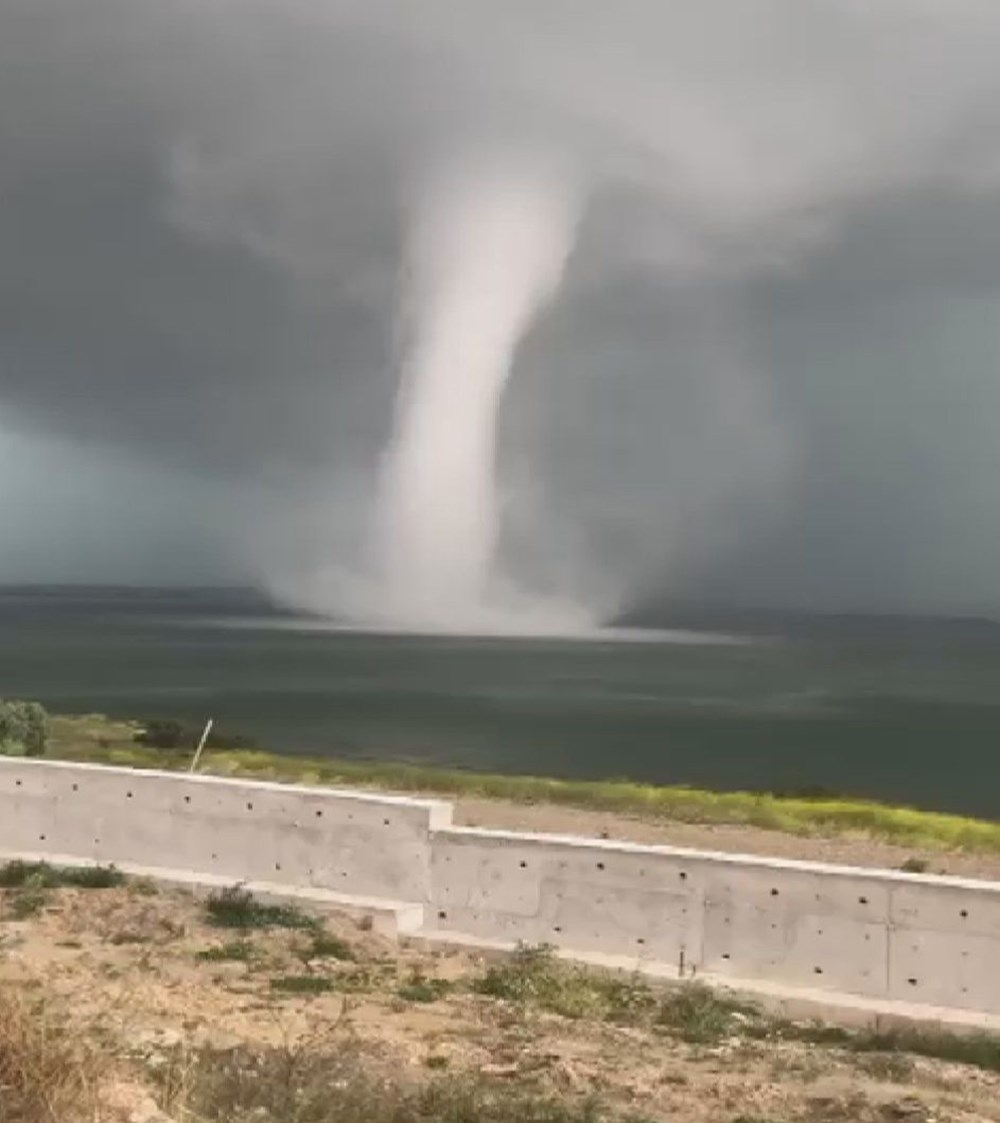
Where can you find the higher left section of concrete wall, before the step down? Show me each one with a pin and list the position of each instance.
(285, 835)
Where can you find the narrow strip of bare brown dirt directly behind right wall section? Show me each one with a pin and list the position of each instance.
(843, 851)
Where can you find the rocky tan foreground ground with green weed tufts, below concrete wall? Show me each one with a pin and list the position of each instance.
(159, 982)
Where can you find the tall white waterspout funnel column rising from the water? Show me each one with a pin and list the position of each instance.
(488, 252)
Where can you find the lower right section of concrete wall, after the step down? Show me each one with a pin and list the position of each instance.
(872, 934)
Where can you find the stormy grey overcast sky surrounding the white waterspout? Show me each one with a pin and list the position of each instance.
(772, 375)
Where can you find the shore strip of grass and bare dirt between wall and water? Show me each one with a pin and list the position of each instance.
(837, 830)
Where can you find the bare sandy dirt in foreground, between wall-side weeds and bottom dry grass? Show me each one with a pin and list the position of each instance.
(134, 967)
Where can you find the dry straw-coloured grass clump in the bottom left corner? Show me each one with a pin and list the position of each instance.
(48, 1074)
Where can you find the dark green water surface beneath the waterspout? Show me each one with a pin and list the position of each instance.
(902, 716)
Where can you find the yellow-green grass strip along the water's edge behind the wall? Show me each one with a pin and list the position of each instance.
(98, 739)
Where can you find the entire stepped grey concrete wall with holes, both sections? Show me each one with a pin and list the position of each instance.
(876, 935)
